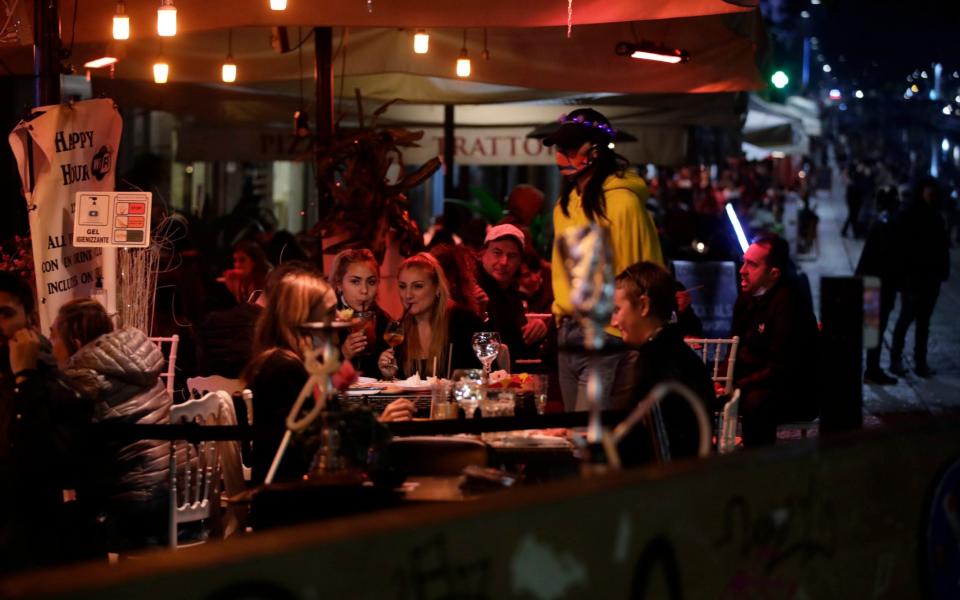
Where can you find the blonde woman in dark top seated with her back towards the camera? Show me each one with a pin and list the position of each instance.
(297, 293)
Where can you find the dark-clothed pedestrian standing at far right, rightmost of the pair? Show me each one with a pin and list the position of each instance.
(921, 240)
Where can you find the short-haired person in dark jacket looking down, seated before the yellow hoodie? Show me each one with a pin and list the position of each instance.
(644, 301)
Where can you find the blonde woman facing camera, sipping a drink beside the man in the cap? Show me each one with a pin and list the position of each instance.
(432, 323)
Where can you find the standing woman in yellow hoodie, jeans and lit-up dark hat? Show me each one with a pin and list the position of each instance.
(597, 188)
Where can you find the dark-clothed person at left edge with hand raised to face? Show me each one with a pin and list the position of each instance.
(41, 450)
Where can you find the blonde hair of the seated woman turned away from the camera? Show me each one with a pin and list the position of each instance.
(296, 293)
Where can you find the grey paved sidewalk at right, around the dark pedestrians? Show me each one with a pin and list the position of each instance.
(912, 396)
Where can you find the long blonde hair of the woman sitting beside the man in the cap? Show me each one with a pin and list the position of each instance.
(439, 317)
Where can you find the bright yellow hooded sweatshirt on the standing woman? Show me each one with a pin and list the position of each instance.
(633, 235)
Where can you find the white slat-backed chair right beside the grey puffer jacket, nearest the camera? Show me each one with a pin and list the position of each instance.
(194, 467)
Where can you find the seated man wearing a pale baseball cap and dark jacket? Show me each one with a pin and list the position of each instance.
(499, 263)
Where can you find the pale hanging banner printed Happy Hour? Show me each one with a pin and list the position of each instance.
(62, 150)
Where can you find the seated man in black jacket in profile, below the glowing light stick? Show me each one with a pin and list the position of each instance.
(776, 359)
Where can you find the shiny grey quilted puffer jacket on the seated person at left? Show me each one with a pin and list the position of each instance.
(119, 371)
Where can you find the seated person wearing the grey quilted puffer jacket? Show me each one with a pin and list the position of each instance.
(119, 372)
